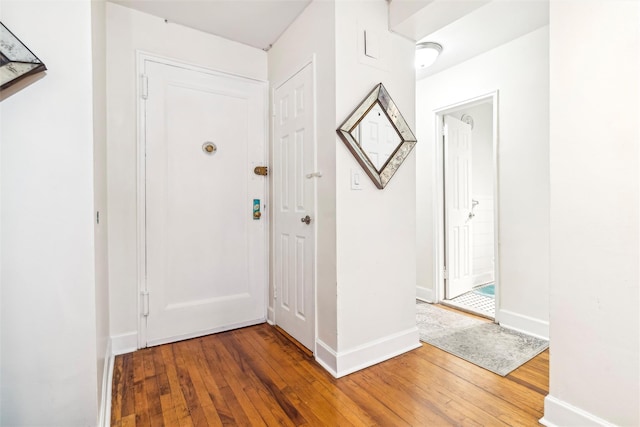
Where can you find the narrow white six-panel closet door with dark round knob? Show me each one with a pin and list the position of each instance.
(294, 190)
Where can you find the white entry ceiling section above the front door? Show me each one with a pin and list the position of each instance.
(257, 23)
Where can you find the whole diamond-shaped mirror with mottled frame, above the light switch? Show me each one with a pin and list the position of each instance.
(378, 136)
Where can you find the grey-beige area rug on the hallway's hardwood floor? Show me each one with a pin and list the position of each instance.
(483, 343)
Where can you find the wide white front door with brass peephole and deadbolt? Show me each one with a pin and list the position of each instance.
(203, 132)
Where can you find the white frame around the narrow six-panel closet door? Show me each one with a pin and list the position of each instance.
(271, 311)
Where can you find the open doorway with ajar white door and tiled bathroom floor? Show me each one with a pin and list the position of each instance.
(469, 205)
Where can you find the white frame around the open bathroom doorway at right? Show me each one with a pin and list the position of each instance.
(439, 193)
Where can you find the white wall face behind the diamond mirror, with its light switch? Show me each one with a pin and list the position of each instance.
(376, 255)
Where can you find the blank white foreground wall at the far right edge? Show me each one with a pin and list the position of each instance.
(595, 196)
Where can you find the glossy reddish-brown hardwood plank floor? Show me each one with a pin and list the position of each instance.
(255, 376)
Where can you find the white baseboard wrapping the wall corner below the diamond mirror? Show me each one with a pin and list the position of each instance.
(344, 363)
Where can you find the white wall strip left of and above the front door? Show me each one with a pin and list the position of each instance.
(127, 31)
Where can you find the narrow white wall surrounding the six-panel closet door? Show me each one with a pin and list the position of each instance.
(316, 27)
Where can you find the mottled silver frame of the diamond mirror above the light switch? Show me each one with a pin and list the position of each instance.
(378, 95)
